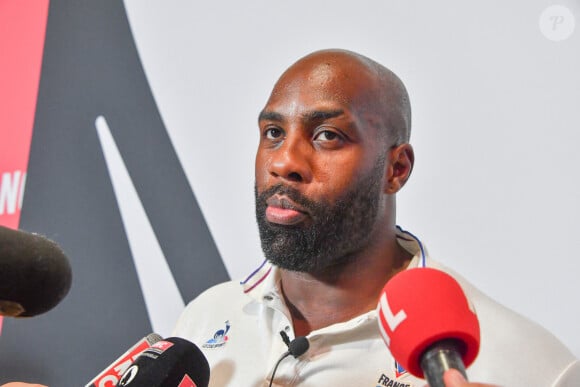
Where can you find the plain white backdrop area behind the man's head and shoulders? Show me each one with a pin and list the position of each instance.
(495, 90)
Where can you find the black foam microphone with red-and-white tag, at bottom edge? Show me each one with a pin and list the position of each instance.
(171, 362)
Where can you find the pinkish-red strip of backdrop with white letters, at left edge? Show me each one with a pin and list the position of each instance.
(22, 33)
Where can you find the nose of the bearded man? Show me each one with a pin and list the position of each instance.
(291, 161)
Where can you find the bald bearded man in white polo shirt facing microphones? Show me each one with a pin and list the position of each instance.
(333, 152)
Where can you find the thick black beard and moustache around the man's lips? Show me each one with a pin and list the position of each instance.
(335, 234)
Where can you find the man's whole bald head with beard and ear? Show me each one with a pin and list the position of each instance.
(332, 155)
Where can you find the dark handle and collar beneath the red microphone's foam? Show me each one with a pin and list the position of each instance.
(440, 357)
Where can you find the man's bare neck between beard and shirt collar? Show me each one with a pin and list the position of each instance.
(341, 293)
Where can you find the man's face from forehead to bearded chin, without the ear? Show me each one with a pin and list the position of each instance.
(319, 168)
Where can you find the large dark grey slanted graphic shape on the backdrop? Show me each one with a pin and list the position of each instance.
(91, 68)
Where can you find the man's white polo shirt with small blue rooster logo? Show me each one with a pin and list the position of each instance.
(237, 326)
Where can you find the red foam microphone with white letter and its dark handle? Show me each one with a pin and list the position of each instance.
(428, 323)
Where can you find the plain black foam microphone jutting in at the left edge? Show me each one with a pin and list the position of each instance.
(35, 275)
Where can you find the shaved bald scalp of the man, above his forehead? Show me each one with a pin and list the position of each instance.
(377, 94)
